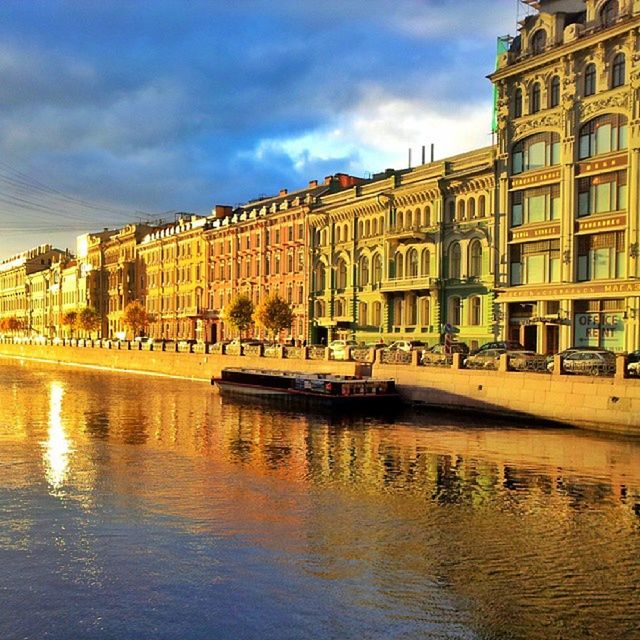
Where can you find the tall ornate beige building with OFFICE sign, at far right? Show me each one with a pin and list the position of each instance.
(569, 173)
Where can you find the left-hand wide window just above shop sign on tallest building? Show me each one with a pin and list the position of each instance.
(535, 262)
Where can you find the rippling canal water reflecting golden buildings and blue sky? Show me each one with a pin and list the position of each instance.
(143, 507)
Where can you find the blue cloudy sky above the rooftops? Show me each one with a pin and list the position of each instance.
(115, 111)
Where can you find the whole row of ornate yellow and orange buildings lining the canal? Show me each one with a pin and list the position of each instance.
(535, 238)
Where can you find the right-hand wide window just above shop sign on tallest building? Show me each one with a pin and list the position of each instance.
(601, 256)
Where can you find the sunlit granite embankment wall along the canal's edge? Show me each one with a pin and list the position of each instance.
(601, 403)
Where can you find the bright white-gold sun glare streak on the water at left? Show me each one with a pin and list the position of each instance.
(57, 447)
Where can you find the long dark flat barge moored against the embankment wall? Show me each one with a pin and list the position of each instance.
(322, 388)
